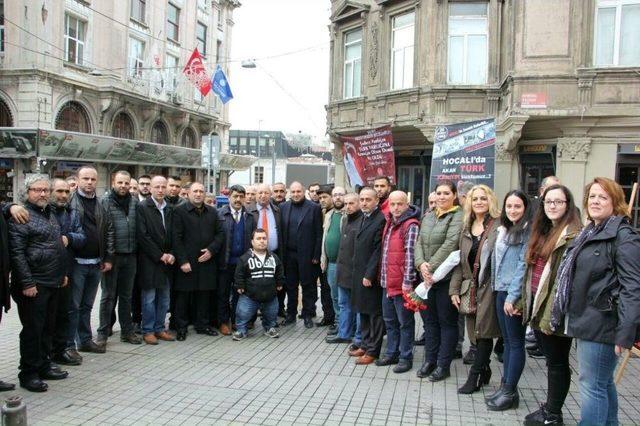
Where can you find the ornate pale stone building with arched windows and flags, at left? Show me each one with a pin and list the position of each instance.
(101, 82)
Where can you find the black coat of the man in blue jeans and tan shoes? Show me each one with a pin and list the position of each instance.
(153, 242)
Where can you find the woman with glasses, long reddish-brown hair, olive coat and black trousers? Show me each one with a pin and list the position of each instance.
(555, 225)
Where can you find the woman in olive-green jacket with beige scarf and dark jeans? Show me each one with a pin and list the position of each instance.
(438, 238)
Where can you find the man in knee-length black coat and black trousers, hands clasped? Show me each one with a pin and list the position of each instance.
(197, 241)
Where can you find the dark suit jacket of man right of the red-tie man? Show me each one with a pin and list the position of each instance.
(308, 232)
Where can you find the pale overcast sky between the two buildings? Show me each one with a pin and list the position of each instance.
(288, 89)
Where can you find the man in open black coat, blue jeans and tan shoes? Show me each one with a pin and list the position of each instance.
(154, 218)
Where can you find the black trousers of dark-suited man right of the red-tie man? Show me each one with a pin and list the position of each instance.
(293, 268)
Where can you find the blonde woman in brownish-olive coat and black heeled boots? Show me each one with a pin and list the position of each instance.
(472, 280)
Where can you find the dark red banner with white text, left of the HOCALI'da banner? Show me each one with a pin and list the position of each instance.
(369, 155)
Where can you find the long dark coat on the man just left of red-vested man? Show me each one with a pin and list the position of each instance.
(366, 262)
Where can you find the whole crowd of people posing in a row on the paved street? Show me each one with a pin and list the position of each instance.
(156, 246)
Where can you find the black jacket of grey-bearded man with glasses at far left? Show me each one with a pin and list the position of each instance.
(38, 255)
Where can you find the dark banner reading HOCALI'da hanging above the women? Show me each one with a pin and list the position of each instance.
(464, 152)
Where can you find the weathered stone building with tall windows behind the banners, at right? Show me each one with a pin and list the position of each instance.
(561, 78)
